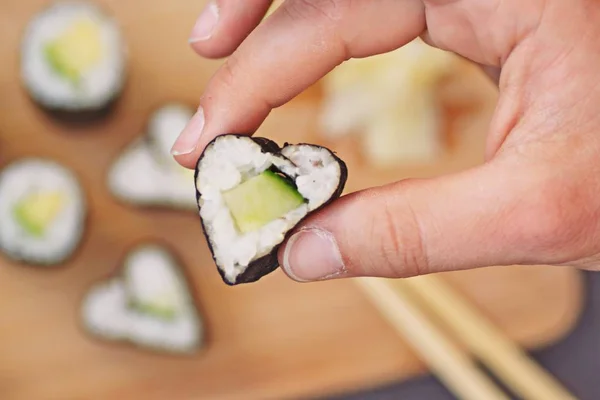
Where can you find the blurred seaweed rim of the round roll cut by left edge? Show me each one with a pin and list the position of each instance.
(83, 232)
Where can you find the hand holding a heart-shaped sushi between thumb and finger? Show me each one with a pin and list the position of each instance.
(536, 199)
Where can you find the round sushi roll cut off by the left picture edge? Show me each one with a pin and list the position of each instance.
(42, 209)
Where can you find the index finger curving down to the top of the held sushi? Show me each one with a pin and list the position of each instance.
(299, 44)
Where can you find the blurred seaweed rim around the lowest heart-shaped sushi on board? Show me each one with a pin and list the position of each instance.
(118, 273)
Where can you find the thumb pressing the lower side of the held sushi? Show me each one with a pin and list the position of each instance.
(472, 219)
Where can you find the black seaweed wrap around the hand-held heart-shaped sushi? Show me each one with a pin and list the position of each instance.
(268, 263)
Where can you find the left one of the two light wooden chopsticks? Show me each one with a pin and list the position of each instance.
(457, 371)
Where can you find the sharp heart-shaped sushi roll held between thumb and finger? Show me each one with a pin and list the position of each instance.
(251, 194)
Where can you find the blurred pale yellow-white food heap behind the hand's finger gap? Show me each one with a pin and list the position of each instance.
(390, 100)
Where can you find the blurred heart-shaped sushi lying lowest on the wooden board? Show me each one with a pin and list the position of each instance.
(149, 305)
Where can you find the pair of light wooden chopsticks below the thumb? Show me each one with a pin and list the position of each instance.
(396, 301)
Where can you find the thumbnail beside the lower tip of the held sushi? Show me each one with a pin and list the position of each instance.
(312, 254)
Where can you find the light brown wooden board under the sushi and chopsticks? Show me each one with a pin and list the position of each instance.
(274, 339)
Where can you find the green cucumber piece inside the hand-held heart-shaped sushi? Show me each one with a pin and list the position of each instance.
(261, 199)
